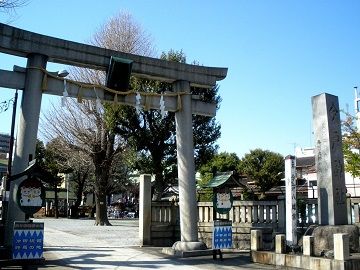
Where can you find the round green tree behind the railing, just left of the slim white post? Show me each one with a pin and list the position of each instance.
(264, 167)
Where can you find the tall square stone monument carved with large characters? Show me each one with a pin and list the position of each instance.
(329, 160)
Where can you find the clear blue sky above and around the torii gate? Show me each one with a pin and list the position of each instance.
(279, 54)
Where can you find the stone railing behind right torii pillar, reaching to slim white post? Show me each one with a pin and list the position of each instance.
(245, 215)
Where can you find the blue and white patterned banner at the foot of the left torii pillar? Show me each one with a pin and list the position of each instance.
(28, 240)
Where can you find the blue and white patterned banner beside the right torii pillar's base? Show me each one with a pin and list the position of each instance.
(222, 234)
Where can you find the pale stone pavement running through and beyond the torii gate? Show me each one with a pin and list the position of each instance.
(77, 244)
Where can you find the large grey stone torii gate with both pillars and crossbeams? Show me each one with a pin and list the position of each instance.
(34, 80)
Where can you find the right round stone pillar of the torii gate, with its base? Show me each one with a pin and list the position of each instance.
(186, 172)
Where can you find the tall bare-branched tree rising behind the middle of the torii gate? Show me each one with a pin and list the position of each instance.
(87, 127)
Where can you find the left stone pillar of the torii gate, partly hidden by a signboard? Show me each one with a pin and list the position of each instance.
(26, 136)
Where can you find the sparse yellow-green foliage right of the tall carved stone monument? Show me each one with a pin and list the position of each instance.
(351, 146)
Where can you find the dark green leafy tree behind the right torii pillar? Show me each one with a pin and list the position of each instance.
(153, 136)
